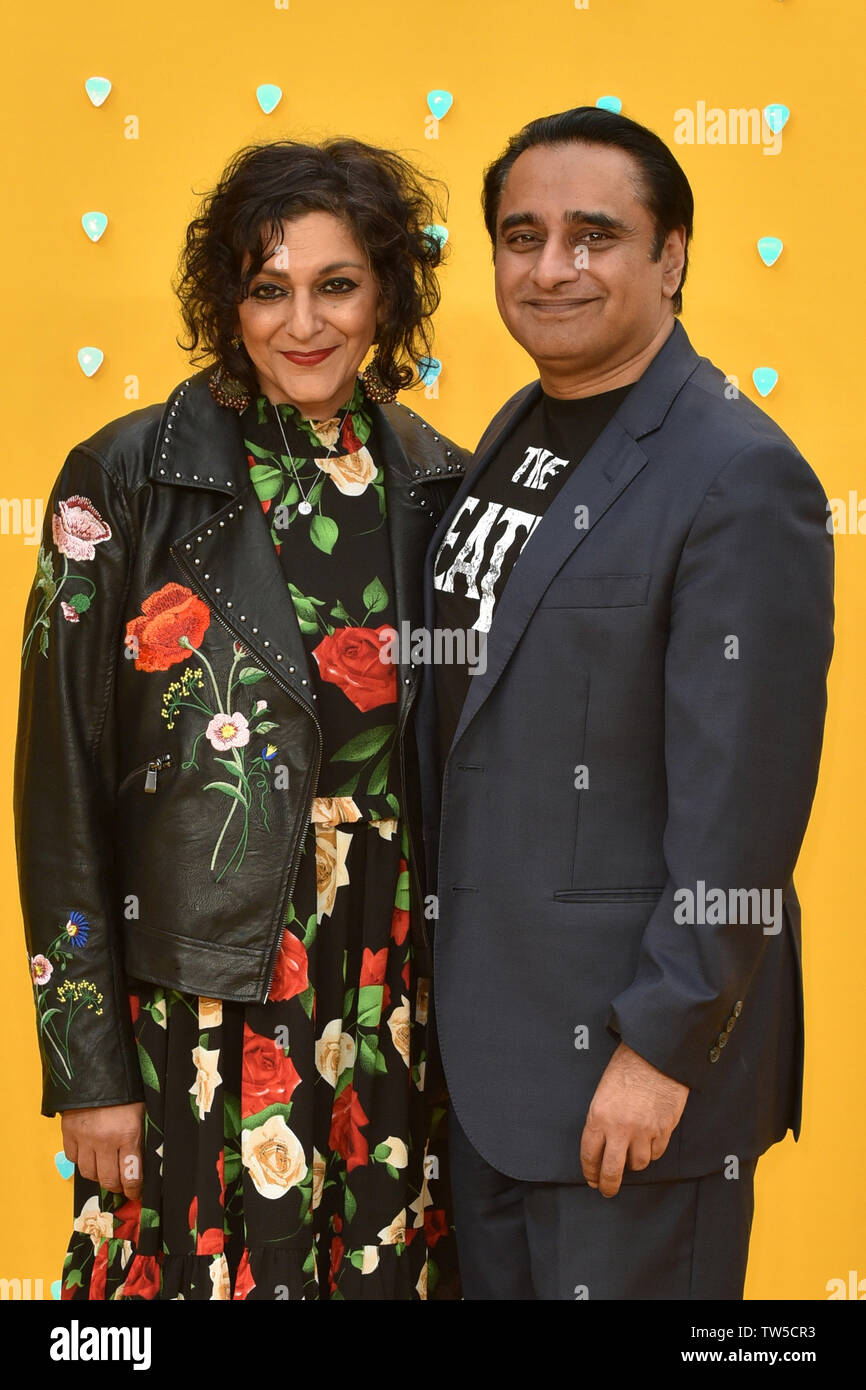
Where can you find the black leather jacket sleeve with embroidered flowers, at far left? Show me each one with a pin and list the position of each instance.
(65, 780)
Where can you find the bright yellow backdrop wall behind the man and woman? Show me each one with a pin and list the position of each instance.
(184, 98)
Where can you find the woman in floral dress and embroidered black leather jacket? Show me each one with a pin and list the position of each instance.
(215, 783)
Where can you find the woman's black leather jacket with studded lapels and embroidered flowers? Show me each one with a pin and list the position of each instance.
(155, 518)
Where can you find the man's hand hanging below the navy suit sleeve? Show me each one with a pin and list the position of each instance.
(632, 1117)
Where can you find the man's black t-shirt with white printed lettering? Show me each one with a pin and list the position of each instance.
(498, 516)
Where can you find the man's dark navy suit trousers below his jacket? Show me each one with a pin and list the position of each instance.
(675, 1241)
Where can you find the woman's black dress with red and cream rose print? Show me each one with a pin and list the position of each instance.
(290, 1152)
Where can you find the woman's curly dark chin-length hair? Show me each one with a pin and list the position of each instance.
(380, 195)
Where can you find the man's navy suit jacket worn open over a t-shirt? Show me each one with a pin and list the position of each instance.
(648, 726)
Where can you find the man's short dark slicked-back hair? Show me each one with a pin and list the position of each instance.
(664, 191)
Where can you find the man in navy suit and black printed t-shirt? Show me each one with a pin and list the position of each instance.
(629, 775)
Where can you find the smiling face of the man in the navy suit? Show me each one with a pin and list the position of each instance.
(576, 281)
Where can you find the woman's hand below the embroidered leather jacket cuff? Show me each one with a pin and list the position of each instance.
(105, 1143)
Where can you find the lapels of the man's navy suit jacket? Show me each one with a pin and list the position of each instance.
(598, 482)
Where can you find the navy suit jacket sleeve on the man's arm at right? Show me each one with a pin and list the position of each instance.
(750, 646)
